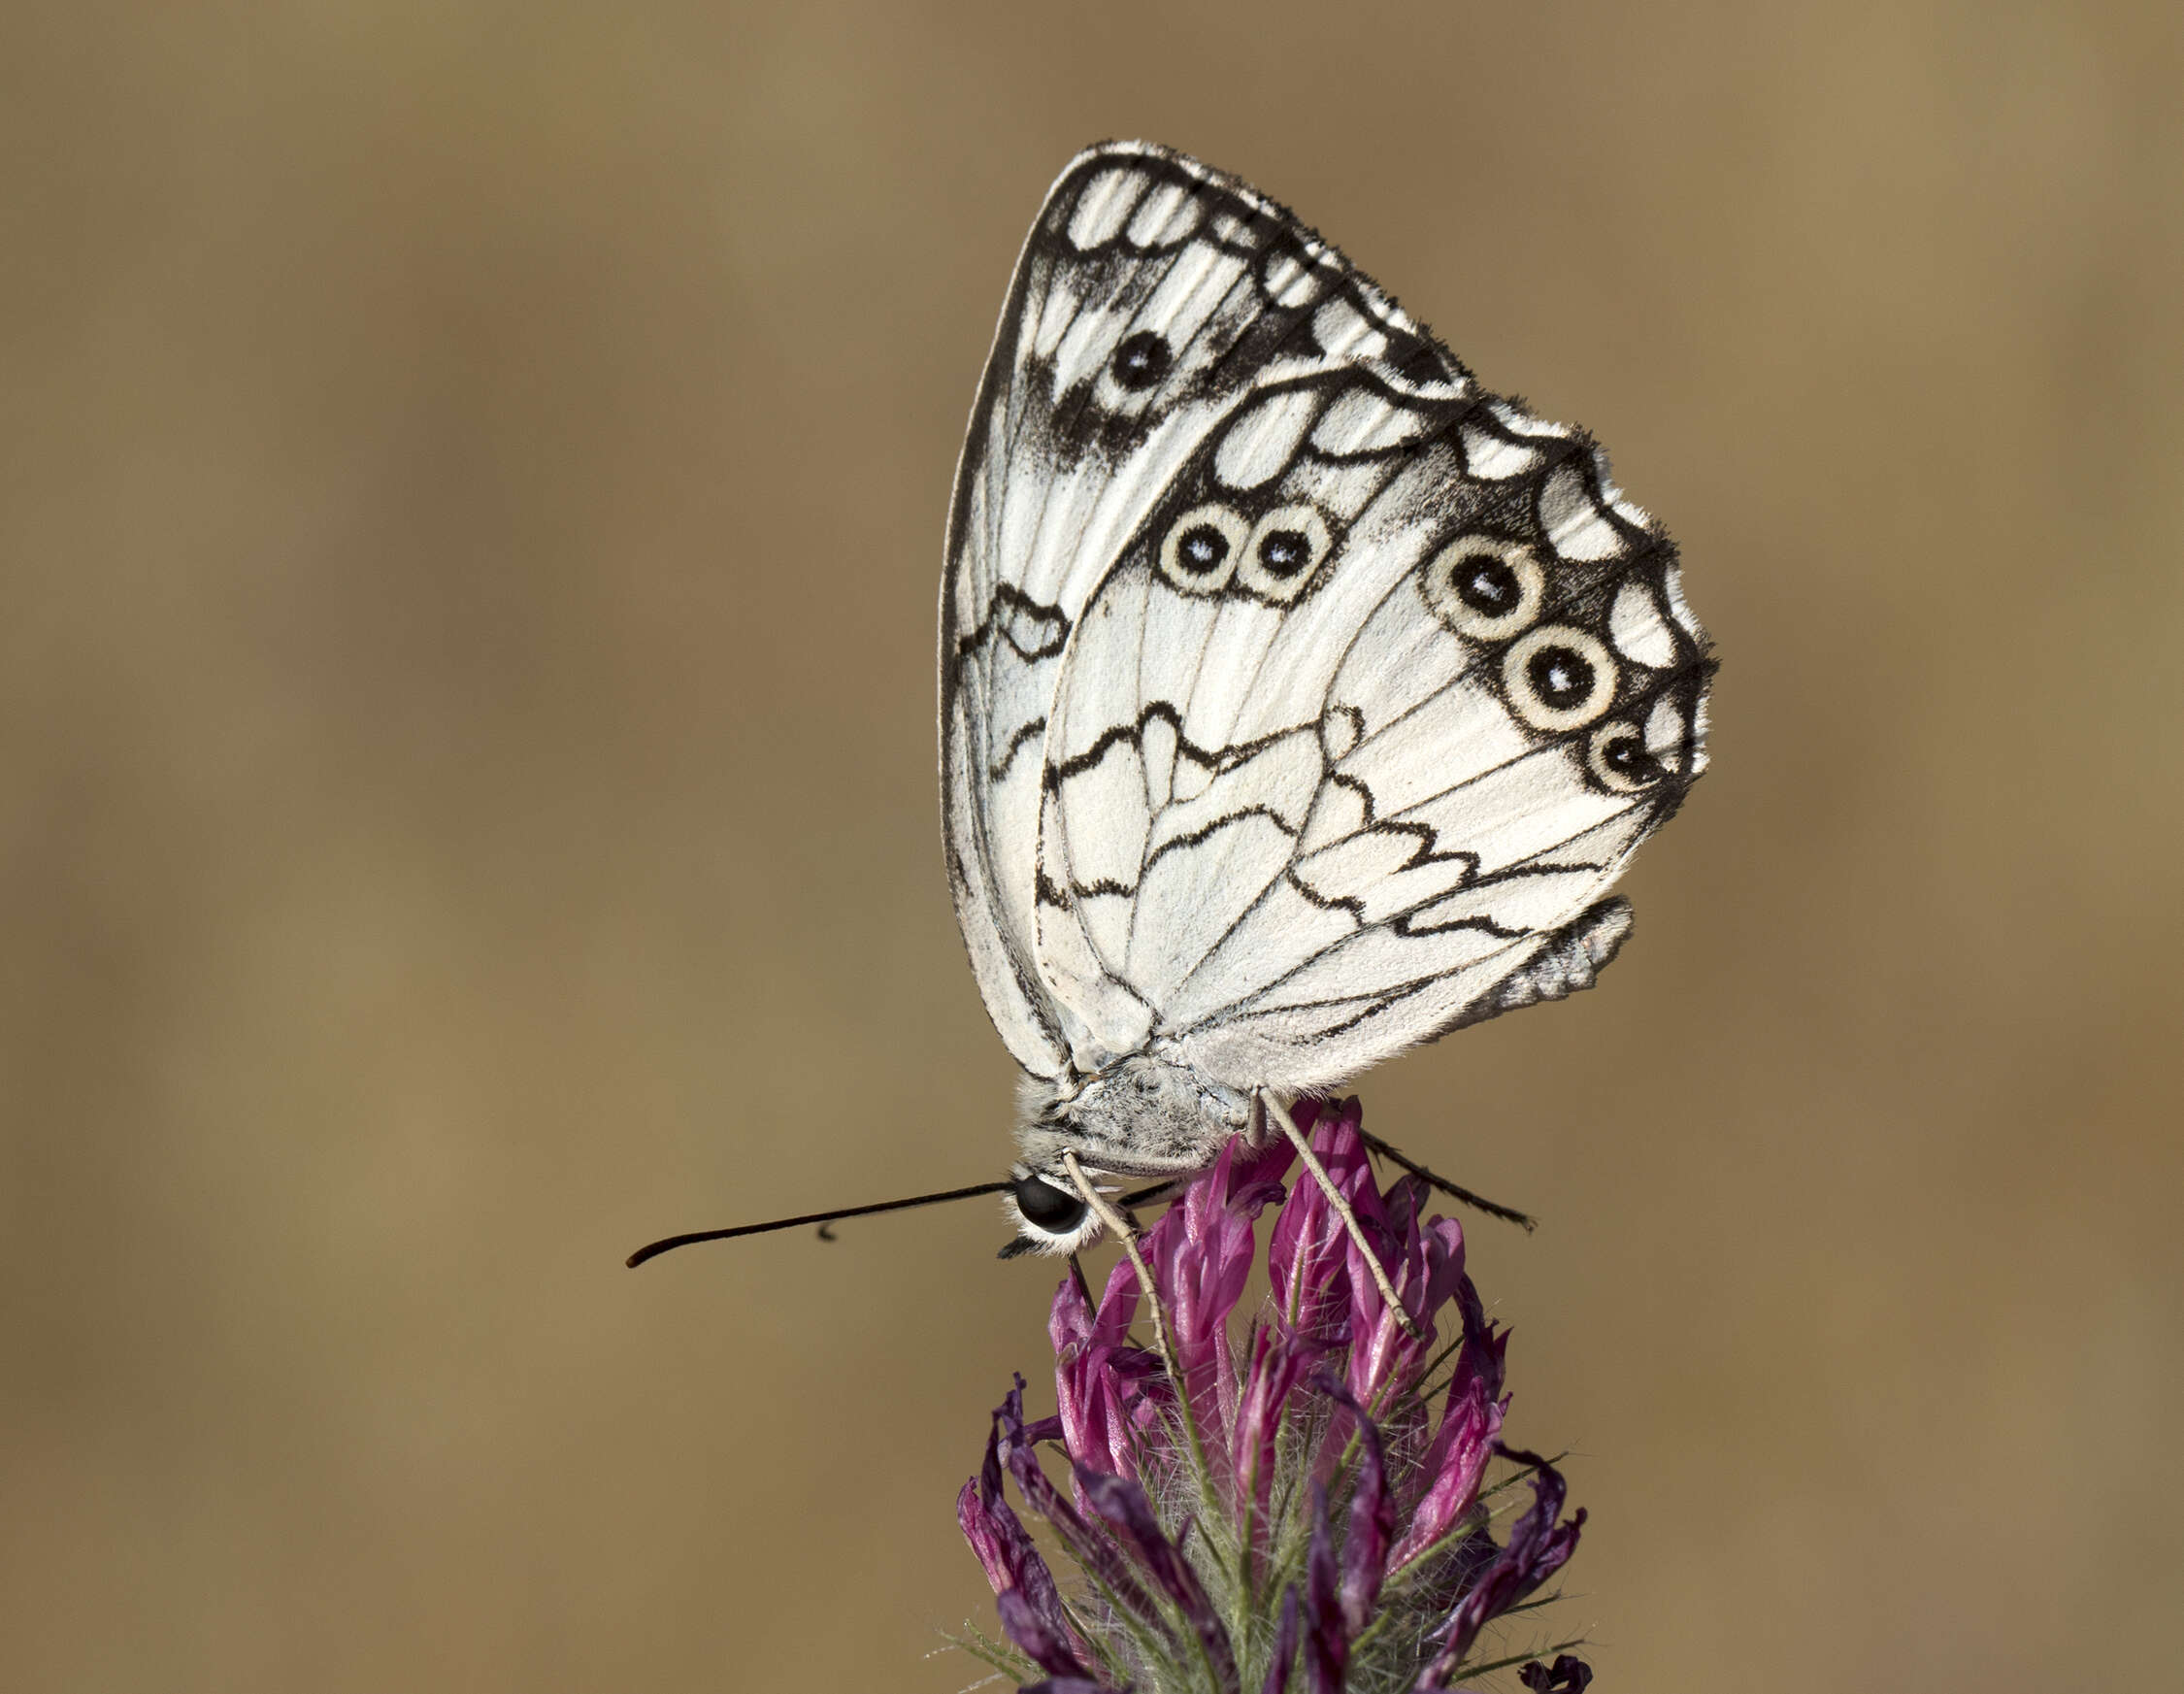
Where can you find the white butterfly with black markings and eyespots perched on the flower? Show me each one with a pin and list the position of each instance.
(1301, 700)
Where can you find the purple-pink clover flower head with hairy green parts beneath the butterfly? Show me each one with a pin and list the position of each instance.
(1303, 1510)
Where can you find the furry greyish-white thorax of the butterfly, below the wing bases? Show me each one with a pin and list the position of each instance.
(1141, 1117)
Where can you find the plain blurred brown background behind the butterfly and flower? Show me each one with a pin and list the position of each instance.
(473, 501)
